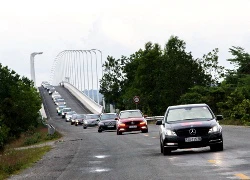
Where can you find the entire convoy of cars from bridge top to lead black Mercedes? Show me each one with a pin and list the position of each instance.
(183, 126)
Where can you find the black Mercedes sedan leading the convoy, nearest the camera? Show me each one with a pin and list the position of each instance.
(190, 126)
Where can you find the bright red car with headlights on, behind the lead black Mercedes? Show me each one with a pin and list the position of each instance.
(131, 120)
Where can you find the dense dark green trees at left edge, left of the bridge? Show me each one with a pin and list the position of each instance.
(20, 103)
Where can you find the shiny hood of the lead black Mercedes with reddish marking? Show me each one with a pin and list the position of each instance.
(191, 124)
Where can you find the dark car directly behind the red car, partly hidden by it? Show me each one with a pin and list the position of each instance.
(107, 122)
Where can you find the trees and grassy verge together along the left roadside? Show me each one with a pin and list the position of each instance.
(21, 125)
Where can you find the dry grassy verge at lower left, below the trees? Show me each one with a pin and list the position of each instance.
(14, 160)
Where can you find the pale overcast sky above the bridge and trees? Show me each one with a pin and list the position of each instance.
(117, 27)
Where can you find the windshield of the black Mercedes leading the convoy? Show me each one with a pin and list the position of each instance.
(189, 113)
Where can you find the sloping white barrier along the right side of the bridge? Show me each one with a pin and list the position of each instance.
(84, 99)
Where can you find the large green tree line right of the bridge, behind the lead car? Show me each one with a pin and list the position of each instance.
(170, 75)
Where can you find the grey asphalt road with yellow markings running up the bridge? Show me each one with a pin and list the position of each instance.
(87, 154)
